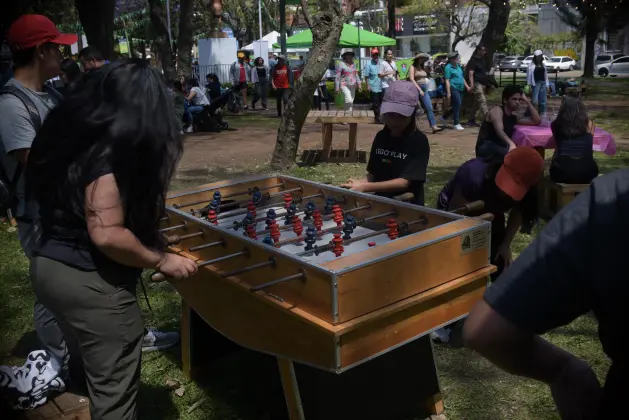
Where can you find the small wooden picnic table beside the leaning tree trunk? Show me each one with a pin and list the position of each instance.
(328, 119)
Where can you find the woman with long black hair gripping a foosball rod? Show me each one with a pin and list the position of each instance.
(99, 169)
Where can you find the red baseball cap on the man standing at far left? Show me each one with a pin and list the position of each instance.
(27, 31)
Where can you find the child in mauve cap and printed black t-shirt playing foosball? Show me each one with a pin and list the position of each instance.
(399, 154)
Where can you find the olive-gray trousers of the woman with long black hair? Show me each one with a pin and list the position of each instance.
(101, 313)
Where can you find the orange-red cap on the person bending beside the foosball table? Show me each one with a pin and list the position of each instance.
(522, 169)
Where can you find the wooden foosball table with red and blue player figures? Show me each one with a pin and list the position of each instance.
(341, 287)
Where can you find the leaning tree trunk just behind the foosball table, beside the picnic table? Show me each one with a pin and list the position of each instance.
(326, 31)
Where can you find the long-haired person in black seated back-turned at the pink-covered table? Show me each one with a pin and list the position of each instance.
(573, 161)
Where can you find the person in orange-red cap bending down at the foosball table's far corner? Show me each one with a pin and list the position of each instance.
(504, 186)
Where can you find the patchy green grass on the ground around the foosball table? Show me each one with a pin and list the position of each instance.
(472, 388)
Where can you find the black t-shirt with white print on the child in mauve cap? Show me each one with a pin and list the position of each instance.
(404, 157)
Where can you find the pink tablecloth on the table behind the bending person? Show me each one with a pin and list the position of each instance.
(542, 136)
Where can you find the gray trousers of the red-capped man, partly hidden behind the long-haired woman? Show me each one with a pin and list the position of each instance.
(46, 326)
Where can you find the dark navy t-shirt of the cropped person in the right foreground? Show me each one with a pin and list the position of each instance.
(576, 265)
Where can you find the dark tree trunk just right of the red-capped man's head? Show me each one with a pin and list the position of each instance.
(97, 19)
